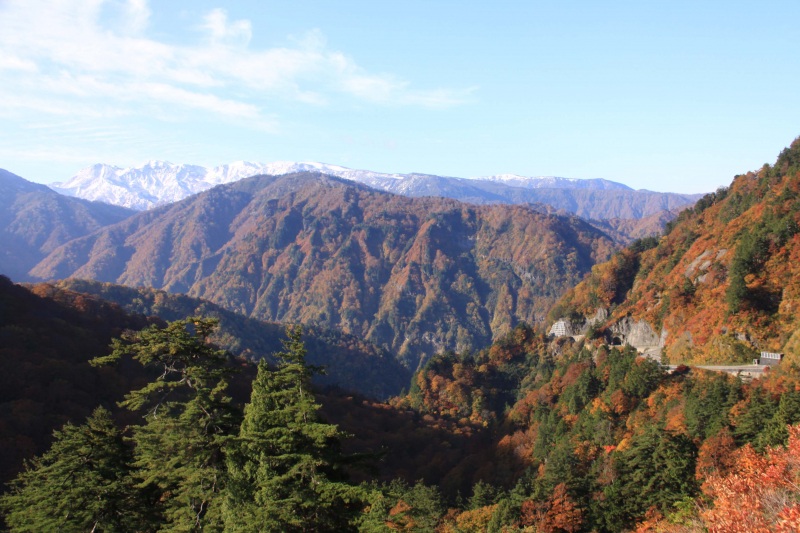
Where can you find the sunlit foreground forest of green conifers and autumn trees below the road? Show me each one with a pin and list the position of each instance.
(533, 433)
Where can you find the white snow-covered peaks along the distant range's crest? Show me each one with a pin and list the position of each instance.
(160, 182)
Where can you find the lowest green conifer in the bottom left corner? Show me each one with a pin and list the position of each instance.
(81, 484)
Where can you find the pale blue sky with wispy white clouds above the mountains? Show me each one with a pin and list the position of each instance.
(667, 96)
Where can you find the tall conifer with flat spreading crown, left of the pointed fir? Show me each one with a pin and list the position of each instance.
(178, 457)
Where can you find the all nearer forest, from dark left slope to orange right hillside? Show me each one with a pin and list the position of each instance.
(155, 427)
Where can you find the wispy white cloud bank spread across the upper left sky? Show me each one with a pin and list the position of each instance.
(69, 55)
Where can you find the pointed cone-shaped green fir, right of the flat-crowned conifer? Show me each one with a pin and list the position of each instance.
(285, 468)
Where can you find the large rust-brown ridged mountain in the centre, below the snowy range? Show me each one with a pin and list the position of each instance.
(412, 275)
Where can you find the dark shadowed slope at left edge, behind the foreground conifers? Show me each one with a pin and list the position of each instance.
(47, 337)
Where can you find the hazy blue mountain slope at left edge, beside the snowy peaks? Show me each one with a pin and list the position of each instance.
(34, 220)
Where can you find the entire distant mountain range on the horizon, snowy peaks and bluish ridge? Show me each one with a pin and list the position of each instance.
(157, 183)
